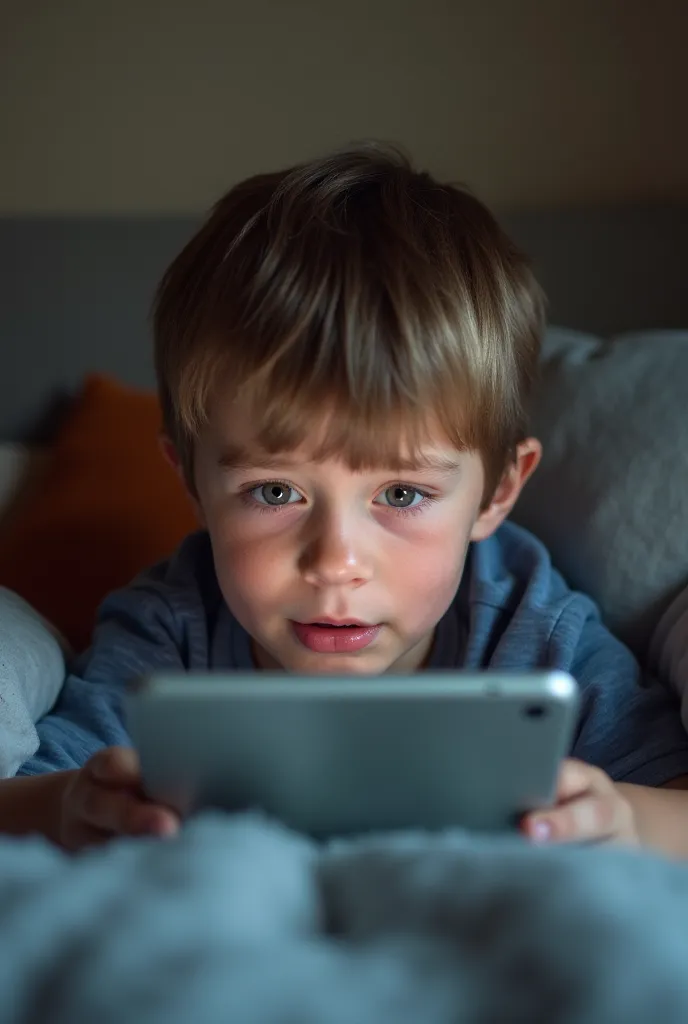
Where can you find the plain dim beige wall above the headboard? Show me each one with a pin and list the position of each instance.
(110, 106)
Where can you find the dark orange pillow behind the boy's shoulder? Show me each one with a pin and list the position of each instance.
(107, 506)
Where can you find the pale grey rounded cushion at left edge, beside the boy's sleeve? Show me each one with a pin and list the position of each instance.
(32, 672)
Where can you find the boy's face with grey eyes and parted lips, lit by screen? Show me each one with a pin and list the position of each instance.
(298, 542)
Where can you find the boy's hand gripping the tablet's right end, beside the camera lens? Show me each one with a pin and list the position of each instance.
(589, 808)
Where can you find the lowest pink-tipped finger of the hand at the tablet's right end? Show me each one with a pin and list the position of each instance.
(592, 817)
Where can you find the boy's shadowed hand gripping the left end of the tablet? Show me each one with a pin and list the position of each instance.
(105, 799)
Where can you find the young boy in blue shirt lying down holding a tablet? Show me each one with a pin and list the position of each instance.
(345, 355)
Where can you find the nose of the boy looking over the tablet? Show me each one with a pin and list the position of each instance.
(333, 558)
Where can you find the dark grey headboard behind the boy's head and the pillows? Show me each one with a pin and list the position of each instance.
(75, 293)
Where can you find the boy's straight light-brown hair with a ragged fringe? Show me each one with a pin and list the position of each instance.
(357, 289)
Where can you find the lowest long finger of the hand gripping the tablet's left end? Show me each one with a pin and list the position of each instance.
(121, 813)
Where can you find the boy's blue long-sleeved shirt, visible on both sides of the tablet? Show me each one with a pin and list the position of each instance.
(512, 612)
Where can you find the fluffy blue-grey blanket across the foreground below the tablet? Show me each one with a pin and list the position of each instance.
(239, 921)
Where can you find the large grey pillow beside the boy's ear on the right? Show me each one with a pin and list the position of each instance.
(611, 498)
